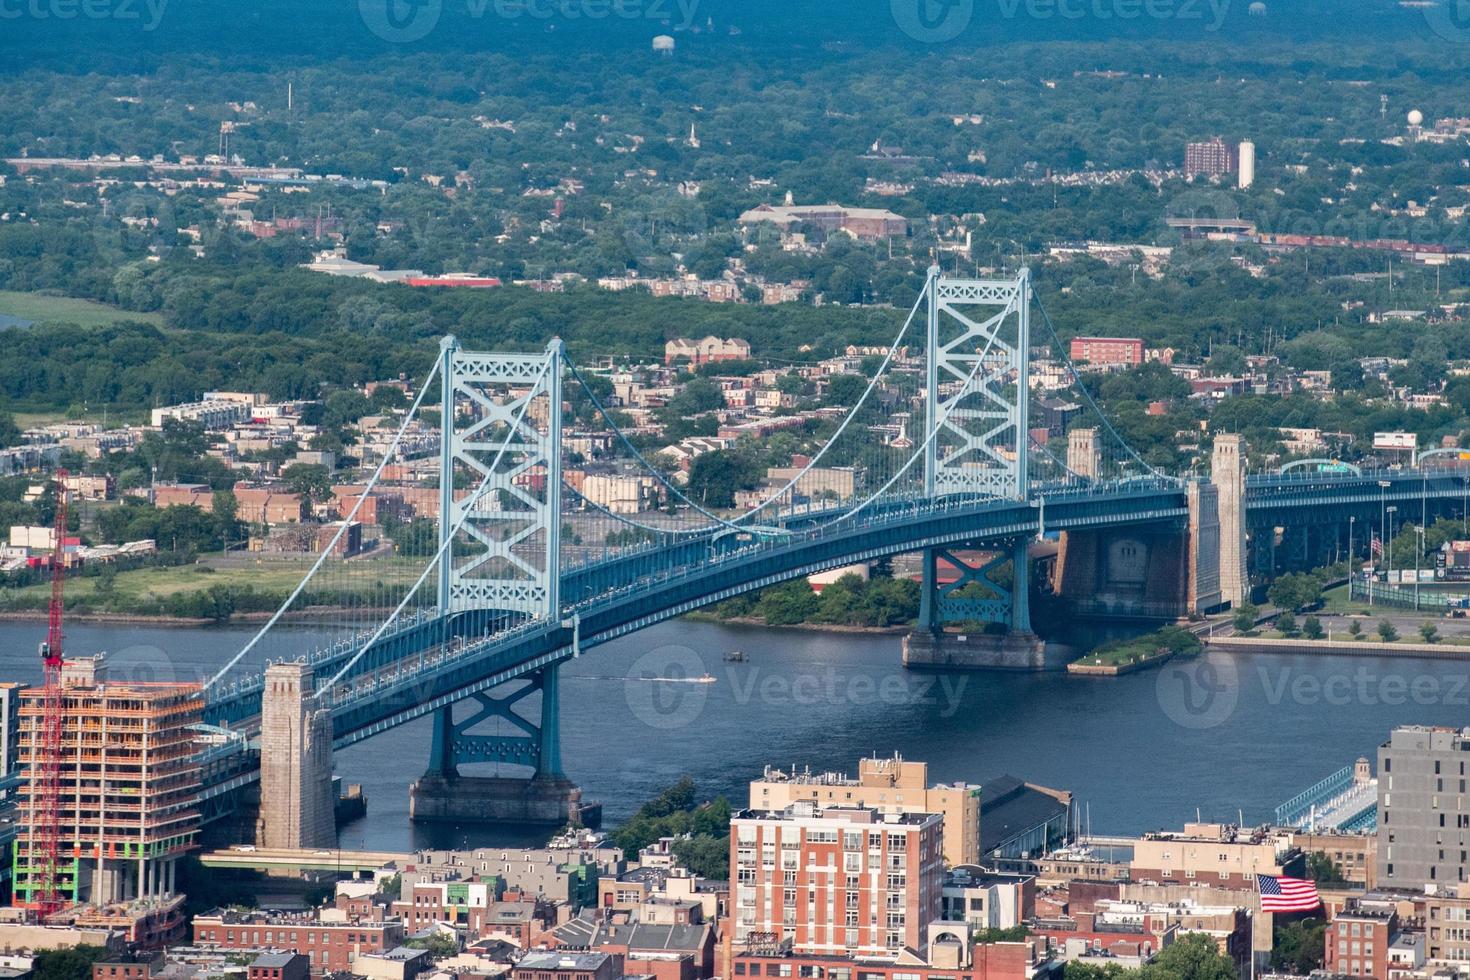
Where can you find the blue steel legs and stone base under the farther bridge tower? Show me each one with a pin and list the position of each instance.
(968, 593)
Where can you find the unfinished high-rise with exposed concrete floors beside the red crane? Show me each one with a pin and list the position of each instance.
(129, 799)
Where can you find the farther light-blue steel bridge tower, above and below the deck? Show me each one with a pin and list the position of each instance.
(977, 400)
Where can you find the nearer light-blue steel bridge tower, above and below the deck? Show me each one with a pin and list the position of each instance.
(506, 559)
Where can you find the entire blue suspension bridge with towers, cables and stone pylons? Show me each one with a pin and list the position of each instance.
(526, 566)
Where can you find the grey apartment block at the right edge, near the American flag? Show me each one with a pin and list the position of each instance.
(1424, 825)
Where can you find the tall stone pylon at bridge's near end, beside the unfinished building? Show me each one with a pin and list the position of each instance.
(296, 763)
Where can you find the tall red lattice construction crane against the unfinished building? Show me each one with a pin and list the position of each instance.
(46, 819)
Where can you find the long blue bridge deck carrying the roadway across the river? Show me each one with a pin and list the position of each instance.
(427, 665)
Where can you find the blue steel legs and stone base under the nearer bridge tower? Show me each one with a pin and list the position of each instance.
(546, 797)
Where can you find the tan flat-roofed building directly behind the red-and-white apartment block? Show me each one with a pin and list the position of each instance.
(884, 784)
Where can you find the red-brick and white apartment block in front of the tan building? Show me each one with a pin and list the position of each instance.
(836, 881)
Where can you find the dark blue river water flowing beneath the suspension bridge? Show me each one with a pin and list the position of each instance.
(1222, 735)
